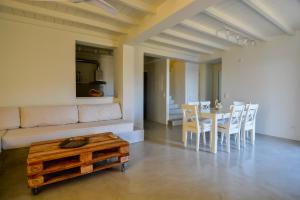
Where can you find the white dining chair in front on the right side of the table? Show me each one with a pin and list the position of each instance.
(232, 125)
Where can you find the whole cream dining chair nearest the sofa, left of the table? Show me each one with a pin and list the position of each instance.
(190, 123)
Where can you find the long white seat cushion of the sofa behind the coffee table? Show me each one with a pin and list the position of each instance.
(23, 137)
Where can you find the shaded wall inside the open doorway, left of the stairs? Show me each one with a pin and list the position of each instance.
(157, 73)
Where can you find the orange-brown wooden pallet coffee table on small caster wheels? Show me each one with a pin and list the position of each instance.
(48, 163)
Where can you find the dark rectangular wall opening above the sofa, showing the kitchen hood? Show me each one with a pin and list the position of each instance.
(94, 71)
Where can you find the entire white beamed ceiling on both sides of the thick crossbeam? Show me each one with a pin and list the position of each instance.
(261, 20)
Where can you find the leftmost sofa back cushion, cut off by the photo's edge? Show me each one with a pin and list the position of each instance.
(9, 118)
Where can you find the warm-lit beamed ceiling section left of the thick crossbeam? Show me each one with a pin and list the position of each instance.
(83, 15)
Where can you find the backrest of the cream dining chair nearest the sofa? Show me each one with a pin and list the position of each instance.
(190, 116)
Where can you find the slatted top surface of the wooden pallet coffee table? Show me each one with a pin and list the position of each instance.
(47, 150)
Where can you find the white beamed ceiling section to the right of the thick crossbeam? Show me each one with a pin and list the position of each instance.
(261, 20)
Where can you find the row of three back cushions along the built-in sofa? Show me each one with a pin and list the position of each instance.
(32, 116)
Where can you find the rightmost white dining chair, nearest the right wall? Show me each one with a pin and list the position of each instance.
(248, 124)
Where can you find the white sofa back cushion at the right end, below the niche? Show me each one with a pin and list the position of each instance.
(99, 112)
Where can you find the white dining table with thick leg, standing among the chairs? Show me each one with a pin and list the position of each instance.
(215, 115)
